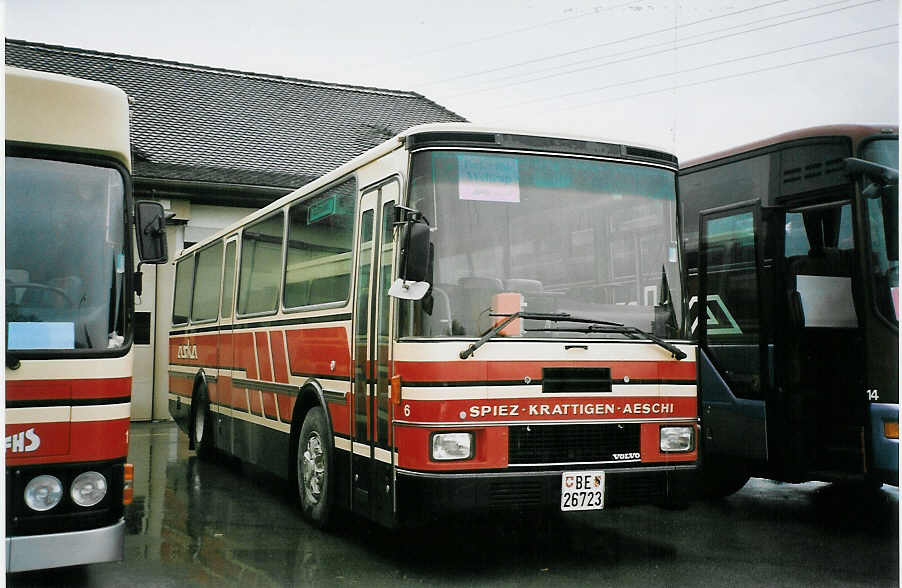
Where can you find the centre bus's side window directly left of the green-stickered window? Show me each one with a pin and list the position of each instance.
(261, 264)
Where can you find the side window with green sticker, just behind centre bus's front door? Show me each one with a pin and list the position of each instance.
(320, 239)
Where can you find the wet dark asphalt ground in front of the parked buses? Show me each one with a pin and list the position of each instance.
(195, 523)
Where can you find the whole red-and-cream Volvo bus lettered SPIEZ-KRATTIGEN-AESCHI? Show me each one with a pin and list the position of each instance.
(459, 318)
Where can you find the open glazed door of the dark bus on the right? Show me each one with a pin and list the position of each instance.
(732, 329)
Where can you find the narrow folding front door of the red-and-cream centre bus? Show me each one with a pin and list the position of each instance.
(371, 467)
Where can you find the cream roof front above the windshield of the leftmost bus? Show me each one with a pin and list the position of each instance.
(52, 110)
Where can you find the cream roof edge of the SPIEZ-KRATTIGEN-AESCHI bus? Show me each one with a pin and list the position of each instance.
(397, 142)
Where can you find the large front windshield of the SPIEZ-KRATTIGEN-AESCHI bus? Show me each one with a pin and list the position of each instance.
(545, 234)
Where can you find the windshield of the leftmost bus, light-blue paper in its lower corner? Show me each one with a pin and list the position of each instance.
(65, 257)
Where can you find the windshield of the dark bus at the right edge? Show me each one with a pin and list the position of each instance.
(883, 227)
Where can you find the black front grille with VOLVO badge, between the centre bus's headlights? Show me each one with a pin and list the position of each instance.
(550, 444)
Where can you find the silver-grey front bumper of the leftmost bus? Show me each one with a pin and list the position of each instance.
(55, 550)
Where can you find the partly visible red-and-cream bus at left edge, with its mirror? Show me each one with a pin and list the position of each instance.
(69, 313)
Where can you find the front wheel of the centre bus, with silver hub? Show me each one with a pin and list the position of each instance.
(314, 459)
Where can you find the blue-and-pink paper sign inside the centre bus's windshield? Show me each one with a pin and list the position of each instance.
(488, 178)
